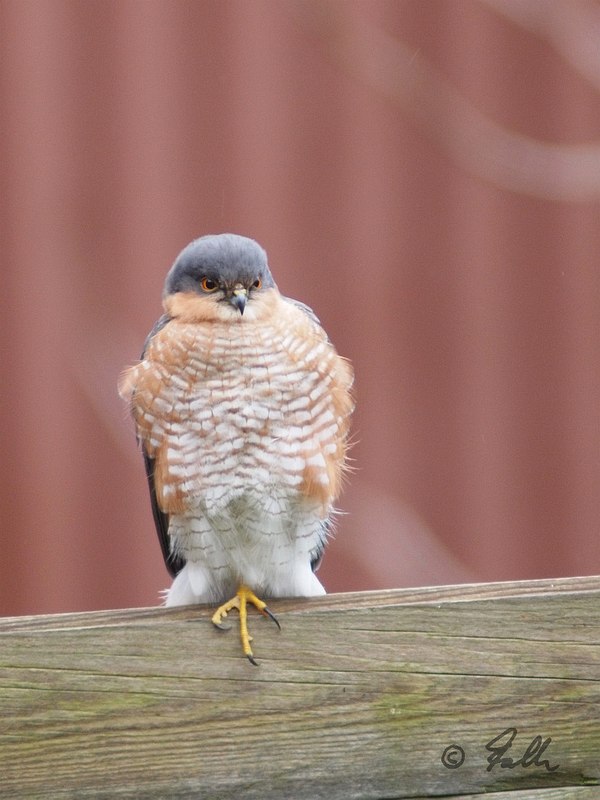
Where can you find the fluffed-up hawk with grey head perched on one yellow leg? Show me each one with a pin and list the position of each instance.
(242, 408)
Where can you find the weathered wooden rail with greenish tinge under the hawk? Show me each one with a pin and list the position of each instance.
(358, 696)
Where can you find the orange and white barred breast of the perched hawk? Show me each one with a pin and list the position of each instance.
(243, 410)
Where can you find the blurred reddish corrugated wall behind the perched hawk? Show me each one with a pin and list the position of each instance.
(426, 175)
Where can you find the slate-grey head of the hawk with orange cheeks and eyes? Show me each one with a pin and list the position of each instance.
(217, 277)
